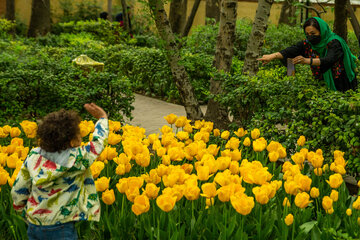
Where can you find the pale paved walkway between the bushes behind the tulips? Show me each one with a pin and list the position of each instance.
(149, 113)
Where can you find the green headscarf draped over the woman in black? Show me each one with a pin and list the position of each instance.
(349, 59)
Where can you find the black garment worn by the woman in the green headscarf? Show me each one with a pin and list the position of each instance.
(333, 60)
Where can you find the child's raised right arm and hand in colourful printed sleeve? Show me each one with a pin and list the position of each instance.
(93, 149)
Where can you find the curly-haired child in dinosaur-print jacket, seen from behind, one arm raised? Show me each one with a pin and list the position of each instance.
(54, 187)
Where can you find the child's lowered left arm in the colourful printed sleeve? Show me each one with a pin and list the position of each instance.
(21, 189)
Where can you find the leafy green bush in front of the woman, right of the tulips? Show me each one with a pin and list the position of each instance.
(284, 108)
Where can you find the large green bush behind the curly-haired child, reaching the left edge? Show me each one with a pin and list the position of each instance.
(36, 80)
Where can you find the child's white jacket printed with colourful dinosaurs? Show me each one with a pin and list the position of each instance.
(55, 188)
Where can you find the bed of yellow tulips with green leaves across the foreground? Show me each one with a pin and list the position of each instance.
(196, 182)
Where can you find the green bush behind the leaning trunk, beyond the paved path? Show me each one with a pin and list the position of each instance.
(149, 72)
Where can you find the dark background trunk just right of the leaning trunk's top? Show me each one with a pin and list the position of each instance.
(177, 15)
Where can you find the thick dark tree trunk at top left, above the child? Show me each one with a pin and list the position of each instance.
(40, 18)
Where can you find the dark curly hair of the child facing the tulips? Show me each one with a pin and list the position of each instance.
(57, 130)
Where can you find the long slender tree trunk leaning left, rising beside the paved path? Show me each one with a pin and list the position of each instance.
(181, 79)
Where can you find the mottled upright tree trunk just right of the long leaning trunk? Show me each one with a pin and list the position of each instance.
(223, 59)
